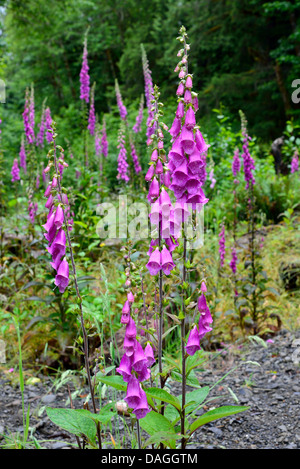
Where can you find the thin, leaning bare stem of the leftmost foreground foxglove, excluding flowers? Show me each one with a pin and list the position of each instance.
(79, 298)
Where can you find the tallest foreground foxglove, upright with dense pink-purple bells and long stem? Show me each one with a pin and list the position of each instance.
(187, 165)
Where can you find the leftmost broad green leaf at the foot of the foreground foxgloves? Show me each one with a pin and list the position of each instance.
(73, 421)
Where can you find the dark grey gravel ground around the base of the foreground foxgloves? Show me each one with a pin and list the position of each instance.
(272, 390)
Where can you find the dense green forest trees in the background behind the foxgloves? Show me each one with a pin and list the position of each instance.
(245, 54)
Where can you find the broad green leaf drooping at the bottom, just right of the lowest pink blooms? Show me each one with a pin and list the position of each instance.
(155, 423)
